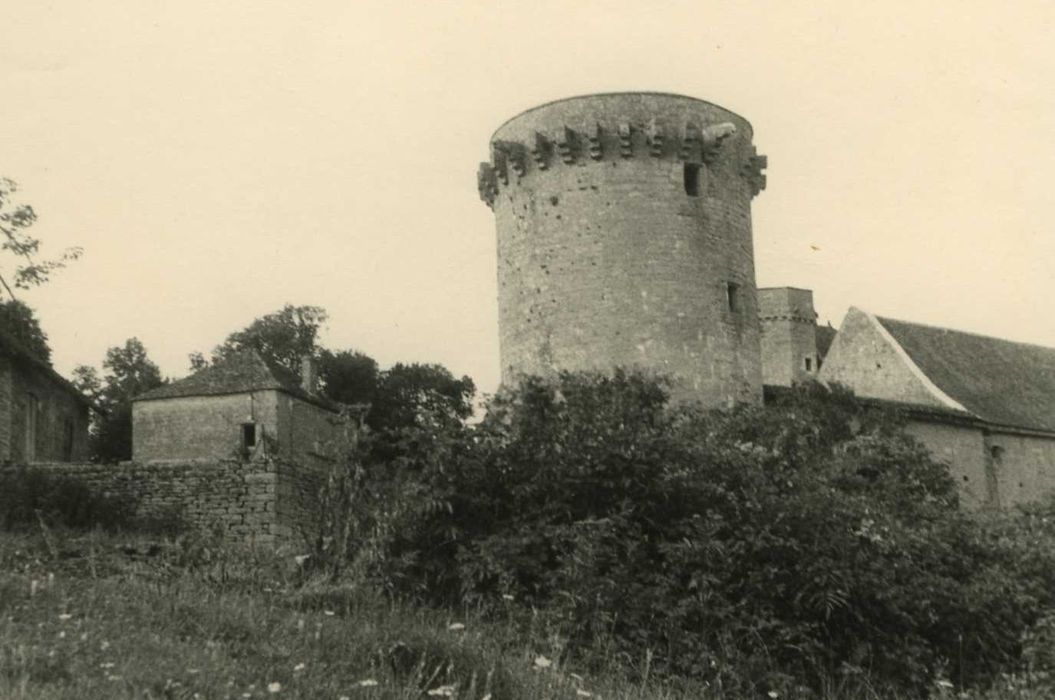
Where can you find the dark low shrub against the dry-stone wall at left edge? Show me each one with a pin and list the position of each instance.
(31, 496)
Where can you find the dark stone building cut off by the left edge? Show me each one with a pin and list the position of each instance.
(43, 417)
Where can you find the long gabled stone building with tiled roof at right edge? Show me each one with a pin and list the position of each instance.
(984, 405)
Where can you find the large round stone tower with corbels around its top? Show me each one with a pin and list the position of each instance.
(625, 240)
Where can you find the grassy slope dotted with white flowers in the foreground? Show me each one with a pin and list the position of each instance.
(93, 617)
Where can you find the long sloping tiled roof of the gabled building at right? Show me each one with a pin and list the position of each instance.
(1002, 382)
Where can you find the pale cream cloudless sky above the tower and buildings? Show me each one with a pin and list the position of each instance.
(219, 160)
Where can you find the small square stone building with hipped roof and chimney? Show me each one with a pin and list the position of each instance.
(243, 407)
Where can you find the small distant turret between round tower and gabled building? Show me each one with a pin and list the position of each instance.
(789, 325)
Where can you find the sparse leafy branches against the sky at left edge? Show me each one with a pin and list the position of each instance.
(14, 239)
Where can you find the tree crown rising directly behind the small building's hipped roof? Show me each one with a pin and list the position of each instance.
(284, 337)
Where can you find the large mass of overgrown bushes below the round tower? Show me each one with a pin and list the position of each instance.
(776, 549)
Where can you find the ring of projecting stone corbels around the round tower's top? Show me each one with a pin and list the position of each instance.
(688, 142)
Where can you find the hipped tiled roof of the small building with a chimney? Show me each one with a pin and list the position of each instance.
(239, 374)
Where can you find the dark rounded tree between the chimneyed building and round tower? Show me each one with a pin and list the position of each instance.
(407, 391)
